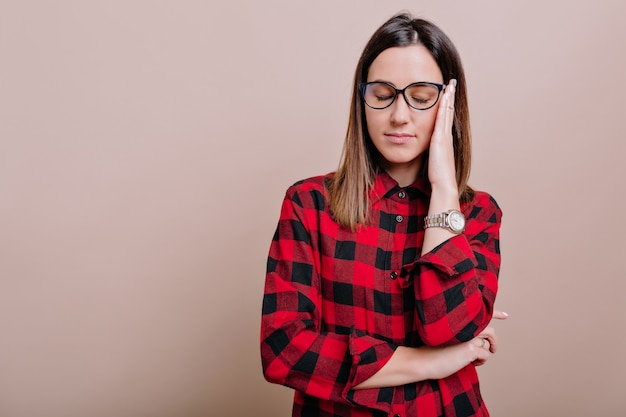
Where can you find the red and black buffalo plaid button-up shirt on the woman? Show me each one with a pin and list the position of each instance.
(337, 303)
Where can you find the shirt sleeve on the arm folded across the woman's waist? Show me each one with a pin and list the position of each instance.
(295, 349)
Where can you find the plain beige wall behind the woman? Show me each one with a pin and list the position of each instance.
(145, 147)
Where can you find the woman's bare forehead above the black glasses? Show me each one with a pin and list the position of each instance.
(403, 65)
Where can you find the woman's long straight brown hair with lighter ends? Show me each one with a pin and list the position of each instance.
(349, 188)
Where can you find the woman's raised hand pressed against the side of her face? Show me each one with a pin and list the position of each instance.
(441, 165)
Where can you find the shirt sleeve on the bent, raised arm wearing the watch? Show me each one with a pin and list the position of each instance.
(456, 283)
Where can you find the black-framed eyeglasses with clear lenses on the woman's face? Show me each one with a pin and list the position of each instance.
(420, 96)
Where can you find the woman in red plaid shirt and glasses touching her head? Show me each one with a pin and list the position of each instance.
(381, 277)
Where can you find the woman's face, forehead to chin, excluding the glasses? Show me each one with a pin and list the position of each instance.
(400, 133)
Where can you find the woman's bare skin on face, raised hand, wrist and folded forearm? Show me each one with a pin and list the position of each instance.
(402, 135)
